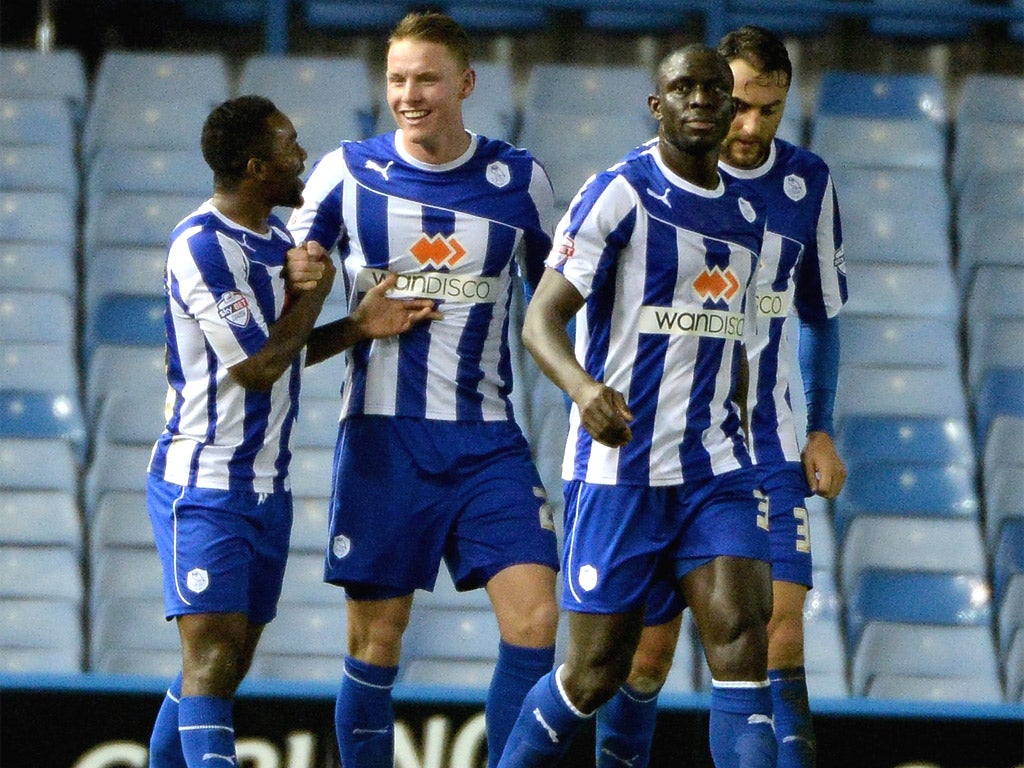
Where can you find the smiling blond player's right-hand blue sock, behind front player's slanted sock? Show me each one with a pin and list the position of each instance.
(518, 670)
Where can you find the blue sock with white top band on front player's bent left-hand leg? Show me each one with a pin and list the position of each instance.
(545, 728)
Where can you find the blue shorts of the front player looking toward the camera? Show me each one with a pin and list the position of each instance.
(621, 540)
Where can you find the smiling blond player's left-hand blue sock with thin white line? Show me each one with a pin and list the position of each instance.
(364, 719)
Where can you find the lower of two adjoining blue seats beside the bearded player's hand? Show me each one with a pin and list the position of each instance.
(884, 490)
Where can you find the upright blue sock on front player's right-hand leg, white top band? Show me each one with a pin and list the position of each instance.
(741, 729)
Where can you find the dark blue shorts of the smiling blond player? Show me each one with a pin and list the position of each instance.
(409, 493)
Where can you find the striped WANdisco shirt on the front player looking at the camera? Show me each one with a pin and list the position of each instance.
(667, 271)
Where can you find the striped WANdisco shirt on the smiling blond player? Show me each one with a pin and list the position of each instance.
(456, 233)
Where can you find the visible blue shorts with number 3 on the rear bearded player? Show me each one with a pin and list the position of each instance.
(790, 528)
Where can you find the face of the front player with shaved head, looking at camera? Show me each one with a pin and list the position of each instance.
(695, 101)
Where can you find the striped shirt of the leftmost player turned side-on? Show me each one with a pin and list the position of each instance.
(225, 289)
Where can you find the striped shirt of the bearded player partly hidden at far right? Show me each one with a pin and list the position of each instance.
(802, 270)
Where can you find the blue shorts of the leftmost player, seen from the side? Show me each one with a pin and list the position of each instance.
(223, 551)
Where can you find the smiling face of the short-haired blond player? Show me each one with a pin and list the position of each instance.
(425, 90)
